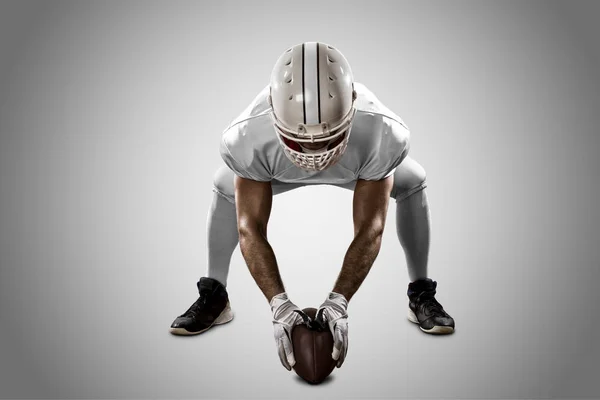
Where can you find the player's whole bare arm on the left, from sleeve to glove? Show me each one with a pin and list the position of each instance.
(253, 206)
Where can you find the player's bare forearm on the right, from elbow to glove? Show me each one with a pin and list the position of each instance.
(357, 263)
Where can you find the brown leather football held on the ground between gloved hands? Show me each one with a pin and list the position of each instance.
(313, 345)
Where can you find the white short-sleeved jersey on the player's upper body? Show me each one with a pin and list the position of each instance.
(378, 142)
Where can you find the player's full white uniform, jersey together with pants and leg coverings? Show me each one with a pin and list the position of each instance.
(377, 147)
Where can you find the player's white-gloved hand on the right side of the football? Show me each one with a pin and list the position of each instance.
(334, 313)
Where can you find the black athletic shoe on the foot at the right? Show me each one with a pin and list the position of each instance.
(425, 310)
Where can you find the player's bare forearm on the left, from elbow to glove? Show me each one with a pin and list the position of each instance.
(261, 262)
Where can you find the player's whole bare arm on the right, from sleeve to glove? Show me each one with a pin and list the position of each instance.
(369, 209)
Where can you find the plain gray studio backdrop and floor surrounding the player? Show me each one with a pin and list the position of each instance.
(110, 118)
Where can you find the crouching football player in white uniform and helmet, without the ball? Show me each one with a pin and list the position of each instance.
(313, 124)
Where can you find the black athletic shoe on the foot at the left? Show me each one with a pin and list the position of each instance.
(211, 308)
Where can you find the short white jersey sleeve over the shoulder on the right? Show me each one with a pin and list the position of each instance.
(386, 156)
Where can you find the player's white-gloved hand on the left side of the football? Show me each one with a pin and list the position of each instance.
(286, 315)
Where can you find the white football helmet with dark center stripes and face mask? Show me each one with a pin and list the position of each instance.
(312, 96)
